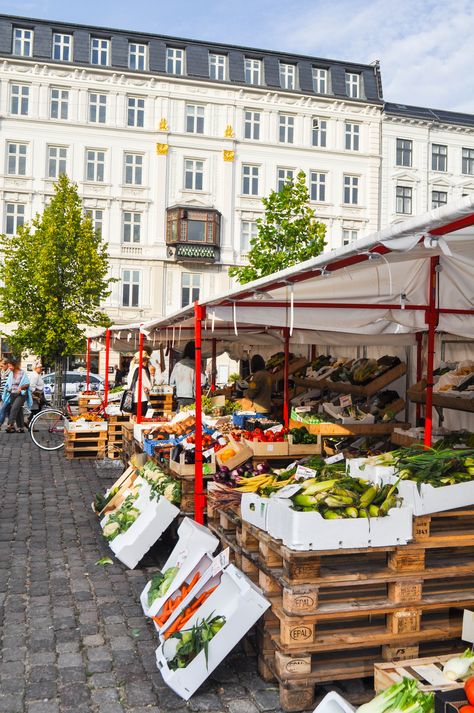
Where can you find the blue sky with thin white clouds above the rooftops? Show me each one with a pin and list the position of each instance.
(424, 46)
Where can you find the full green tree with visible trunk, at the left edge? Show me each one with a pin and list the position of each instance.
(54, 276)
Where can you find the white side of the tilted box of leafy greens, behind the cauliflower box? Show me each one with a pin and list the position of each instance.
(130, 546)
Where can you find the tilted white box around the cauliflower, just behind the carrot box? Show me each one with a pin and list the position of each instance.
(194, 541)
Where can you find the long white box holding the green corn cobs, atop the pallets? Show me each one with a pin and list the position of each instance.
(310, 531)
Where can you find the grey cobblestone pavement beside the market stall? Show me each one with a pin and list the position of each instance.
(74, 638)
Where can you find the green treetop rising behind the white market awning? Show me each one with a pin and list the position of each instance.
(288, 233)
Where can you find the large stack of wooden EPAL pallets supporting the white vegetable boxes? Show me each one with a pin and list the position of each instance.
(336, 613)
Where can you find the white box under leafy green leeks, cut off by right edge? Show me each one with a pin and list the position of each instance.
(428, 499)
